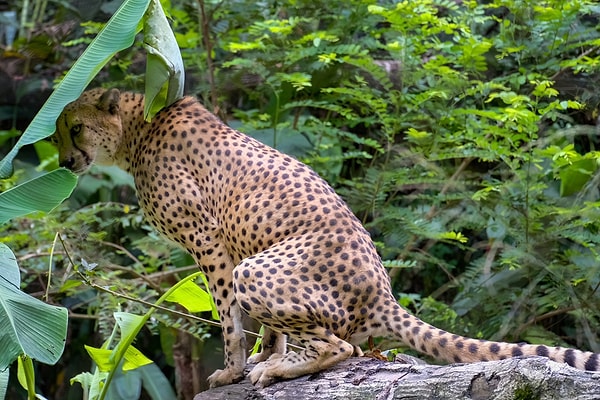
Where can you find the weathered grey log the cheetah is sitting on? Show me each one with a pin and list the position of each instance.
(366, 378)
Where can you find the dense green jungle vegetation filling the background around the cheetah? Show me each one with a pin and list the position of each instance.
(462, 133)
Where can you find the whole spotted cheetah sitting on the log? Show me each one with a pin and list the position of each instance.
(273, 238)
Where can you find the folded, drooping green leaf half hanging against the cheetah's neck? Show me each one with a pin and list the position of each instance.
(164, 66)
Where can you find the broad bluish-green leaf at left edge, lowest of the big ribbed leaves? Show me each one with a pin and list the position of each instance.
(29, 326)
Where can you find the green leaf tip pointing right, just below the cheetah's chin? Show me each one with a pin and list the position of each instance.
(43, 193)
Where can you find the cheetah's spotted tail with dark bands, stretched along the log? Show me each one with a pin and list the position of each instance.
(445, 346)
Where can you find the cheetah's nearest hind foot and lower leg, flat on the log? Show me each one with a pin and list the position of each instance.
(323, 350)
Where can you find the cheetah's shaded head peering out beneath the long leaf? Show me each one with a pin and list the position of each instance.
(89, 130)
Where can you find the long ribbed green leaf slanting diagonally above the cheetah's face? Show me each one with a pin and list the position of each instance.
(118, 34)
